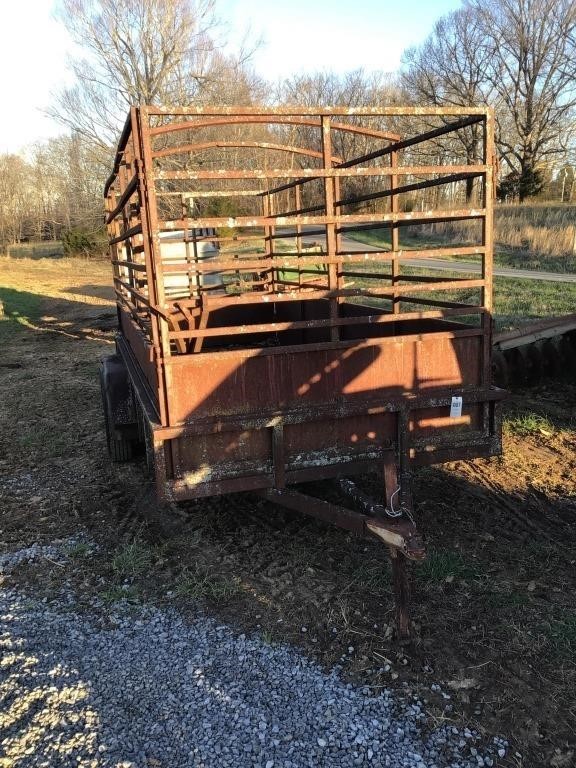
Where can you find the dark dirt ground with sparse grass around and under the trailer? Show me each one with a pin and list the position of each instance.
(493, 605)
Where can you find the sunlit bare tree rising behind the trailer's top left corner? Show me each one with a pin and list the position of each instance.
(136, 52)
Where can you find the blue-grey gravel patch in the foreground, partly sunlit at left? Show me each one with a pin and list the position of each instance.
(143, 688)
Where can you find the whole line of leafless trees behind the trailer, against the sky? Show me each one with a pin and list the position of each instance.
(516, 55)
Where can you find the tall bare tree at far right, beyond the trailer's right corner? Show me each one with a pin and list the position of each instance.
(531, 45)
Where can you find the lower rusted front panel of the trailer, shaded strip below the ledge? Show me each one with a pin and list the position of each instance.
(245, 460)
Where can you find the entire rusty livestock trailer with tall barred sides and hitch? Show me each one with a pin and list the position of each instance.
(263, 343)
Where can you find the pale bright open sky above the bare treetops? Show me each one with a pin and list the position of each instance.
(298, 36)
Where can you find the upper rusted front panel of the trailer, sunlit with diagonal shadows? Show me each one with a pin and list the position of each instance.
(233, 382)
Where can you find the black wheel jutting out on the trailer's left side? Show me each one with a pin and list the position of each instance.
(117, 405)
